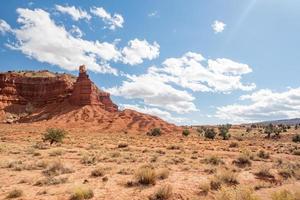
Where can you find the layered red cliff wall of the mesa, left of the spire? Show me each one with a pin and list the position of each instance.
(18, 88)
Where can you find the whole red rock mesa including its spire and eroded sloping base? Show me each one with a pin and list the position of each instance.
(62, 99)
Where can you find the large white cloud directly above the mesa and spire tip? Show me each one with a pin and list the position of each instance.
(40, 38)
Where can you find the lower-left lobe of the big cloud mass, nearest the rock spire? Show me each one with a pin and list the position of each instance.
(155, 92)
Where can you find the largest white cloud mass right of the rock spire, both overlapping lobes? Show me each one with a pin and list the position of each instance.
(157, 86)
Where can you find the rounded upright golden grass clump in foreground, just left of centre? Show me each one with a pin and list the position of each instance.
(146, 175)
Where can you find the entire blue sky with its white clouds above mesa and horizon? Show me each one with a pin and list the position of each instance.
(201, 62)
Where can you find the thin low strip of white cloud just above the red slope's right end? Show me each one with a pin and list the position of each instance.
(156, 112)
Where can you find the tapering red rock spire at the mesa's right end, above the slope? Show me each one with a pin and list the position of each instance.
(86, 93)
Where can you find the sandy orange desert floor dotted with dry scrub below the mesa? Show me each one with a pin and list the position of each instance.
(187, 165)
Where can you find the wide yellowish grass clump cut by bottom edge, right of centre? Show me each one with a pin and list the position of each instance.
(238, 193)
